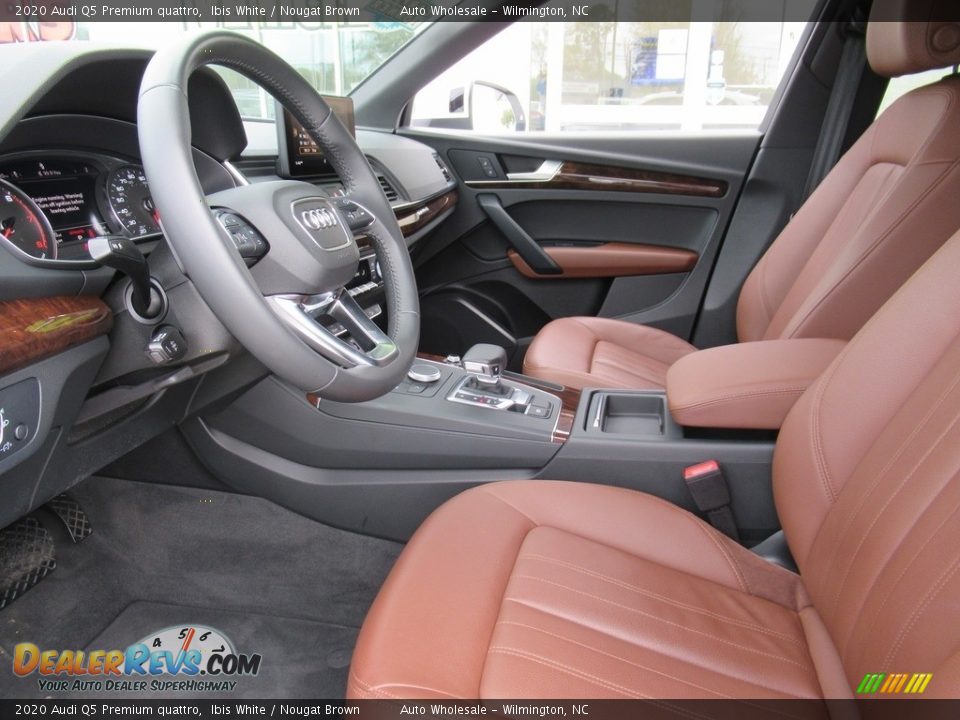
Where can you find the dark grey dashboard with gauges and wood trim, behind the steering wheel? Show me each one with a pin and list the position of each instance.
(76, 366)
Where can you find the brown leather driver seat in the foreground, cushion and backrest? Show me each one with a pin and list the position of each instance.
(548, 589)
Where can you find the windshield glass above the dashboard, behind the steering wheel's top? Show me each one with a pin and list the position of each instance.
(334, 56)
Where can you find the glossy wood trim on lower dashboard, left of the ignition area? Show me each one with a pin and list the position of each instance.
(34, 329)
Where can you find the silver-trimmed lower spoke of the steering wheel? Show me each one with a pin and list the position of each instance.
(323, 321)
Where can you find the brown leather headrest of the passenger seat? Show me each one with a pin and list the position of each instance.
(909, 36)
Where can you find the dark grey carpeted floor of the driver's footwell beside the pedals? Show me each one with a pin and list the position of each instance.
(274, 582)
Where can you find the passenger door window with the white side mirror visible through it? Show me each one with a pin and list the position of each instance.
(613, 76)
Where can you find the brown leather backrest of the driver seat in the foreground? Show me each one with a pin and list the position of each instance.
(867, 485)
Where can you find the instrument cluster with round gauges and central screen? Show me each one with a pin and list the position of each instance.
(52, 204)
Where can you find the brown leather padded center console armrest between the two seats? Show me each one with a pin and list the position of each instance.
(749, 385)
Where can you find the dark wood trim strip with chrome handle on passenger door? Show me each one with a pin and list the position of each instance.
(608, 178)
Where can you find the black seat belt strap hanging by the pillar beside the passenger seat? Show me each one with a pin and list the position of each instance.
(843, 95)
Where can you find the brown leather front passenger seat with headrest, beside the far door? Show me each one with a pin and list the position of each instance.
(887, 206)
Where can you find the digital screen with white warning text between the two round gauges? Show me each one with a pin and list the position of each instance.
(69, 203)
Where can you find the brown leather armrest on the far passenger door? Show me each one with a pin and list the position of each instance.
(609, 260)
